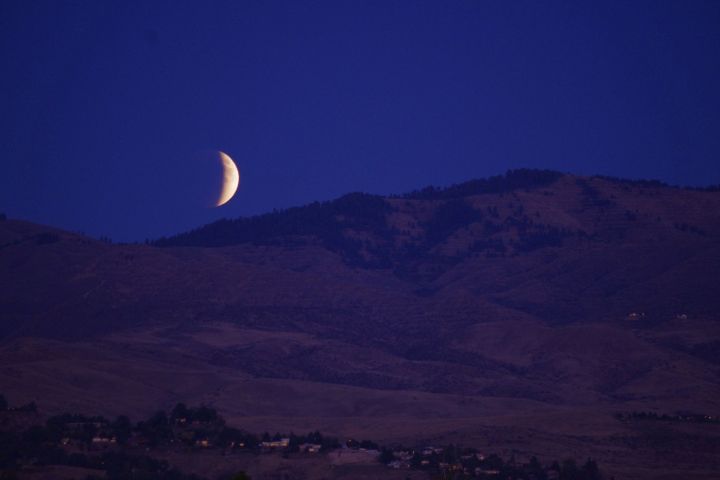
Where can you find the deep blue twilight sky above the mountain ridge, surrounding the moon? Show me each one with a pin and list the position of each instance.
(105, 105)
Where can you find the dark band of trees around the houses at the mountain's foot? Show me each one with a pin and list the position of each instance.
(118, 450)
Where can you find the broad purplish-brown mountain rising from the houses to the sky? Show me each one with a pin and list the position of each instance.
(520, 311)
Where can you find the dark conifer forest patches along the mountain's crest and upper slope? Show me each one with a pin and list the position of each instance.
(356, 226)
